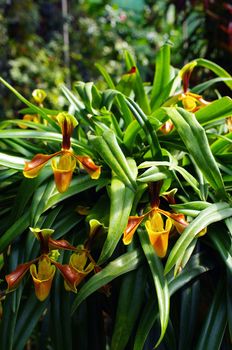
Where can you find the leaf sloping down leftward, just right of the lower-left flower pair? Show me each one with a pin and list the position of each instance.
(125, 263)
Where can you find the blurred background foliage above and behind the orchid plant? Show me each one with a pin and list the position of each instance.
(46, 43)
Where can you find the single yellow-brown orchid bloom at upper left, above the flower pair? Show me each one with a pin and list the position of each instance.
(64, 167)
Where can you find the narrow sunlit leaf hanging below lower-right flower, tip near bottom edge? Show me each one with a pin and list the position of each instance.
(160, 282)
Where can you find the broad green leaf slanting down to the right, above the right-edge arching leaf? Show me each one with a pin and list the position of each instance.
(195, 140)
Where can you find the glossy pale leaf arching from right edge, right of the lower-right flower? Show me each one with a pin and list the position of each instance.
(216, 212)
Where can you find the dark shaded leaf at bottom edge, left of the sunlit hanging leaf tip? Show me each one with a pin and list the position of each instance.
(130, 301)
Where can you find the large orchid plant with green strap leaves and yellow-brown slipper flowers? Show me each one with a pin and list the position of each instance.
(164, 154)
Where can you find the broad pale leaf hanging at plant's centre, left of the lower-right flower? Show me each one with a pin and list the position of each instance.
(121, 203)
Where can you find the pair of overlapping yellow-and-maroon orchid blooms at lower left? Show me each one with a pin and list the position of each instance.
(43, 268)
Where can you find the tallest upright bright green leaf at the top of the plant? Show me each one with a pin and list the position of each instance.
(161, 78)
